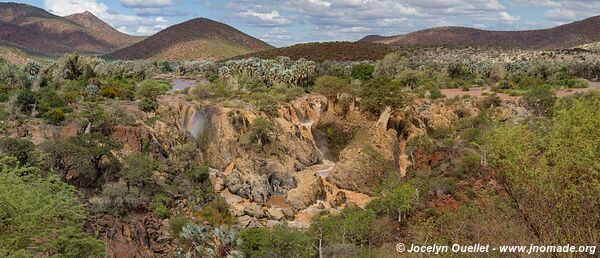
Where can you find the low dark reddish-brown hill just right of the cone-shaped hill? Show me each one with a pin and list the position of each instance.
(333, 51)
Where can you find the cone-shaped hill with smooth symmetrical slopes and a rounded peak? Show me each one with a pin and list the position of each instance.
(194, 39)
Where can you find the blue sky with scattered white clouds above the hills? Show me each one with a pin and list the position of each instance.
(287, 22)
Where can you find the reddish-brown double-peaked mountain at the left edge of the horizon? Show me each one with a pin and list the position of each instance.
(36, 30)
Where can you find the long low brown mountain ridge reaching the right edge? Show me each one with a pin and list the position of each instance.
(564, 36)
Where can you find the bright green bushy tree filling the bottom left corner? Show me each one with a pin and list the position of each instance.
(41, 216)
